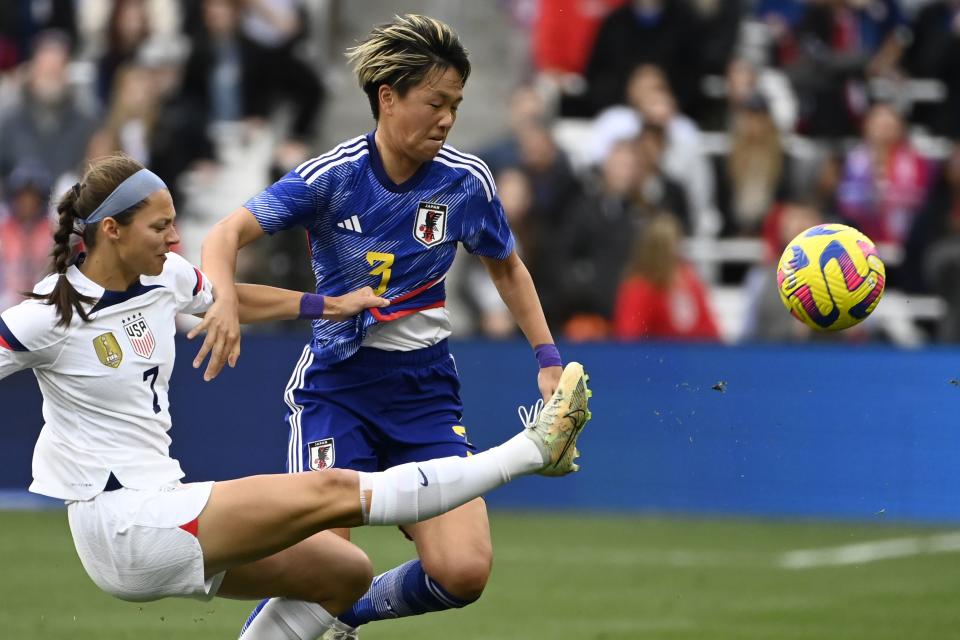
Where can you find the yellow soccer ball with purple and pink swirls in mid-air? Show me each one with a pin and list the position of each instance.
(830, 277)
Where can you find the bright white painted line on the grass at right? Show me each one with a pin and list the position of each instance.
(864, 552)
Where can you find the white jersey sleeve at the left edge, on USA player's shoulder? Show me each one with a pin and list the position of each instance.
(29, 337)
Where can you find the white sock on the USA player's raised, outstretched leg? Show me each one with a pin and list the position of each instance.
(421, 490)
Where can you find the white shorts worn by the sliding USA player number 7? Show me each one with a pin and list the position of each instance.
(133, 547)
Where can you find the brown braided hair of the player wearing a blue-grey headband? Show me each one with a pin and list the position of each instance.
(102, 177)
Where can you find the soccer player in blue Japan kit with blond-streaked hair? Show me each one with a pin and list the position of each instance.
(387, 210)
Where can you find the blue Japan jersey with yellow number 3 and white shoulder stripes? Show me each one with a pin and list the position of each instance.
(364, 230)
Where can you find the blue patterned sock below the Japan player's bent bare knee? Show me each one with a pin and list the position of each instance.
(403, 591)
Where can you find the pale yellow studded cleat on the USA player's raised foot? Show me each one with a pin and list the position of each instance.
(555, 427)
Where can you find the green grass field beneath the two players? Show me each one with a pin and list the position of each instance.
(565, 576)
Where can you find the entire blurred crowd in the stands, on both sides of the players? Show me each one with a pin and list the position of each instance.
(644, 136)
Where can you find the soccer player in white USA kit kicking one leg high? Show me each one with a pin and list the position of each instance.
(99, 336)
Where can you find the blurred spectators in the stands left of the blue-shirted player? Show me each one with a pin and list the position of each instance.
(174, 84)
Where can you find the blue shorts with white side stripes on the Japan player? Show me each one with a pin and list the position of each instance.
(375, 410)
